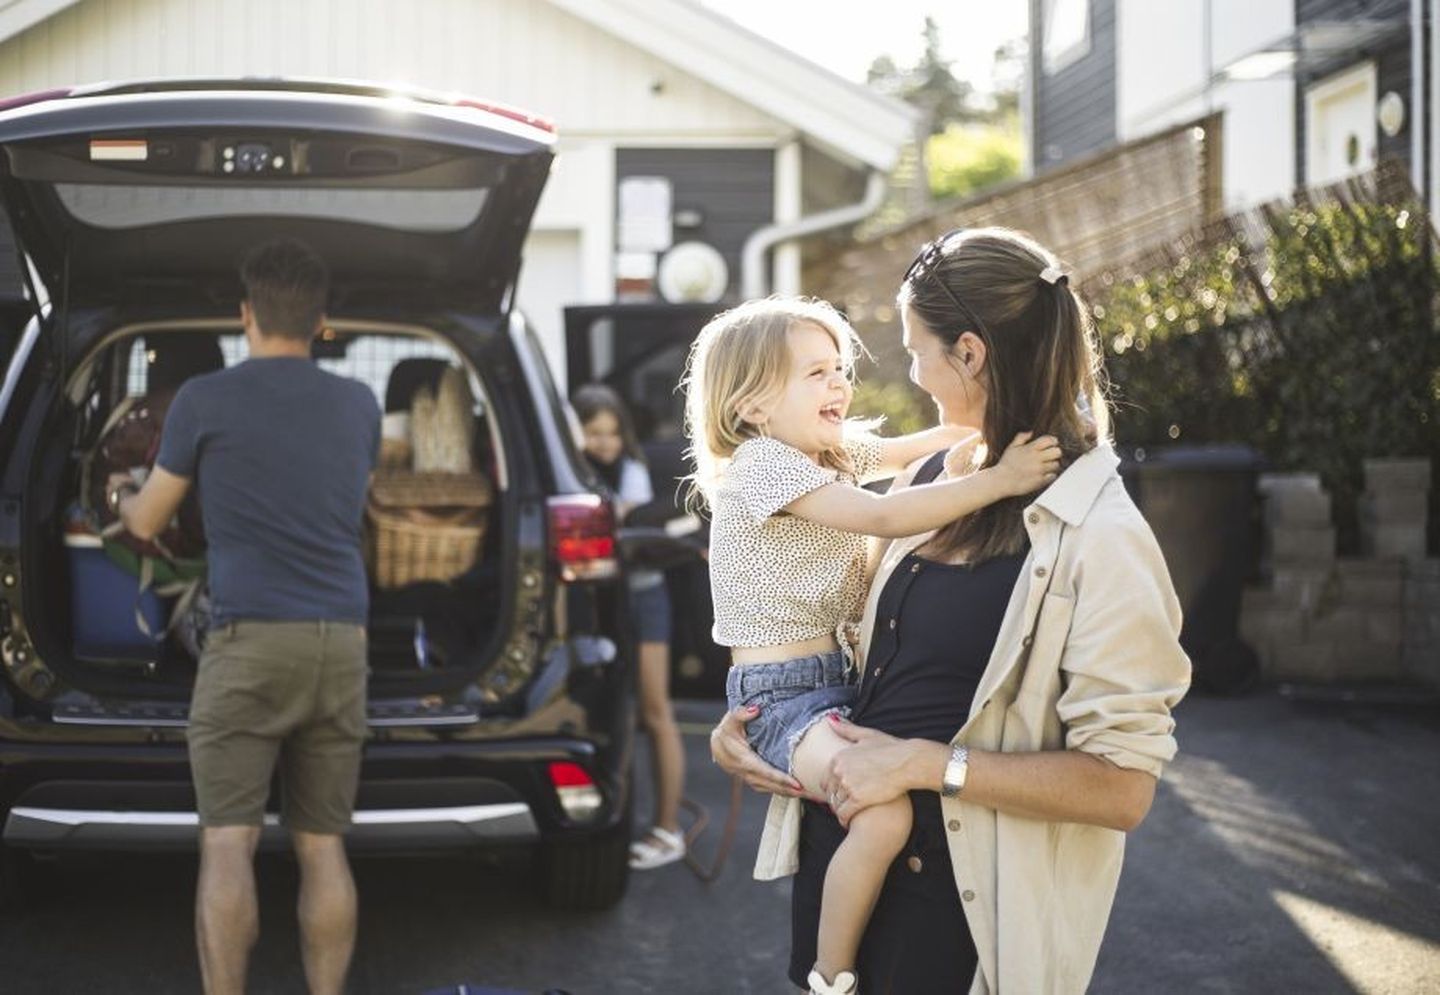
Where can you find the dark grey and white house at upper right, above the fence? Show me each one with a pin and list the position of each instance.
(1310, 91)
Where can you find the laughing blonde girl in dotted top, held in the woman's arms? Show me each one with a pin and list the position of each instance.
(768, 390)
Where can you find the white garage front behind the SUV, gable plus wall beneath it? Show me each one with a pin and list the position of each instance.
(601, 91)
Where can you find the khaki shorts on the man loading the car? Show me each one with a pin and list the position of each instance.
(289, 692)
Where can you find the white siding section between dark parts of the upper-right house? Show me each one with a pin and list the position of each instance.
(1164, 80)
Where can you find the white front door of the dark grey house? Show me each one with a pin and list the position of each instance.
(1341, 133)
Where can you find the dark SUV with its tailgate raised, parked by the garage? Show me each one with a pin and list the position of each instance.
(500, 701)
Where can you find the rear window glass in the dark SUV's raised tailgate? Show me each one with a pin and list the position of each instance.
(122, 207)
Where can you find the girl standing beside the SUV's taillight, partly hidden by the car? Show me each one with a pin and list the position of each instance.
(613, 450)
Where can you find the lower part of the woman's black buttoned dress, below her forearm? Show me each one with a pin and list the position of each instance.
(918, 941)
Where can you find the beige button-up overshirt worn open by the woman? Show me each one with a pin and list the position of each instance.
(1088, 659)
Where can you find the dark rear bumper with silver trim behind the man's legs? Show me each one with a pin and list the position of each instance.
(438, 796)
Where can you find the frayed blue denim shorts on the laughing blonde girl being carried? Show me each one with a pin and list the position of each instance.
(793, 695)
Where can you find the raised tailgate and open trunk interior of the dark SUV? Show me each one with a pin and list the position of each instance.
(140, 199)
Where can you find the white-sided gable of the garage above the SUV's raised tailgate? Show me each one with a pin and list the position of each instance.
(525, 53)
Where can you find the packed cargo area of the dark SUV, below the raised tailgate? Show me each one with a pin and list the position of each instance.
(436, 618)
